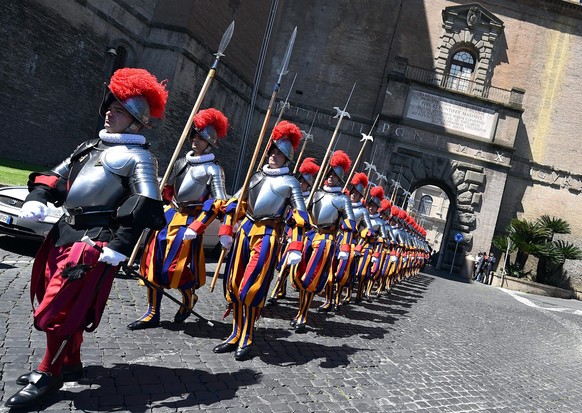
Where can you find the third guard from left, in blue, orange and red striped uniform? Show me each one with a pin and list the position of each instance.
(252, 260)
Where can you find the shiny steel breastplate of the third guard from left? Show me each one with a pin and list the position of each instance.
(268, 195)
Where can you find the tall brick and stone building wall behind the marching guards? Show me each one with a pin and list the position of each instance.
(479, 99)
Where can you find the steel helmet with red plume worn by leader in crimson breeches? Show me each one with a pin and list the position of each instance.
(139, 92)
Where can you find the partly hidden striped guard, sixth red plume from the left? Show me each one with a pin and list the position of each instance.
(344, 272)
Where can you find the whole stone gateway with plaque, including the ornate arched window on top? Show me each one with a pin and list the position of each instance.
(448, 126)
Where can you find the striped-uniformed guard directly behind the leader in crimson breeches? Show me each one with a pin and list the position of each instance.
(174, 256)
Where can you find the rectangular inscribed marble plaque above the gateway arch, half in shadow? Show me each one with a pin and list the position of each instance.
(450, 114)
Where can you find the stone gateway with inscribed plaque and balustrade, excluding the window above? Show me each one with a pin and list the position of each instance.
(460, 143)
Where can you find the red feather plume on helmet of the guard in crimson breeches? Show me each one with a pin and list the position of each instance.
(129, 82)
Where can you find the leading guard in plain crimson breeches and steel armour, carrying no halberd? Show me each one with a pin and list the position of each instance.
(108, 188)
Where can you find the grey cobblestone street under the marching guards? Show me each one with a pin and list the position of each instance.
(435, 344)
